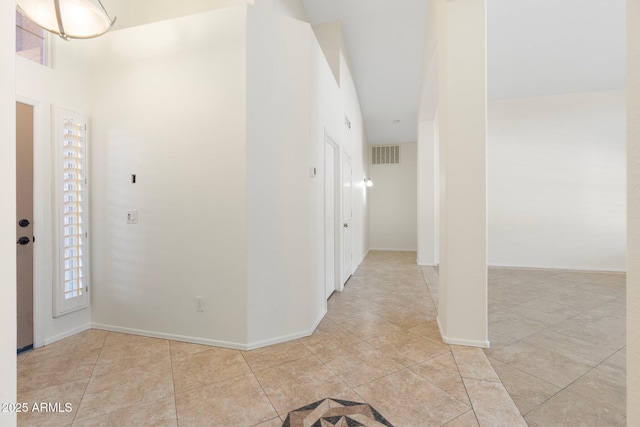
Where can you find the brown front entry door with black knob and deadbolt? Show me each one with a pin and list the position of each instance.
(24, 224)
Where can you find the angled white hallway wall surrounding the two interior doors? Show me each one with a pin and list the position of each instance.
(291, 106)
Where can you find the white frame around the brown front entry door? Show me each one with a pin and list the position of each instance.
(41, 216)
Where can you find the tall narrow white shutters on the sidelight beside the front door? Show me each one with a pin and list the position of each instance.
(71, 195)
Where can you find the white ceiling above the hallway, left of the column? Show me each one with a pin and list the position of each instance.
(384, 40)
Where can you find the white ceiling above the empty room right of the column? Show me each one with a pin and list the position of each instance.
(544, 47)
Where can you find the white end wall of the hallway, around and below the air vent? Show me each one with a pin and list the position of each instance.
(393, 208)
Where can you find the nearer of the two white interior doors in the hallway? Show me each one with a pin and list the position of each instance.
(330, 218)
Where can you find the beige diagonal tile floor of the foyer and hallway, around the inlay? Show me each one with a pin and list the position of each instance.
(378, 344)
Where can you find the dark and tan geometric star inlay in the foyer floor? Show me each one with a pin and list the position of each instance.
(335, 413)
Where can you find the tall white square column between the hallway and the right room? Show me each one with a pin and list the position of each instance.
(463, 175)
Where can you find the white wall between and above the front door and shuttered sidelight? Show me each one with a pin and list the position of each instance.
(64, 84)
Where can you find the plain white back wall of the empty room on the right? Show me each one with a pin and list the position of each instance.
(557, 181)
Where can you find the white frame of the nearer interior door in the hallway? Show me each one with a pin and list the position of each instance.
(337, 214)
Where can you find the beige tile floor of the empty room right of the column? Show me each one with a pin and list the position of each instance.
(558, 344)
